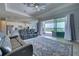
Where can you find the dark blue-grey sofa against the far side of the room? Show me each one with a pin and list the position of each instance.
(27, 33)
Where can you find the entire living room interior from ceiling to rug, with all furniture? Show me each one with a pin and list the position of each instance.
(47, 29)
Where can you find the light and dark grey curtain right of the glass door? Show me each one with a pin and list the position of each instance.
(70, 28)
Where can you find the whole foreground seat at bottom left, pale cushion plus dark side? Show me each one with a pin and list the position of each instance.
(6, 48)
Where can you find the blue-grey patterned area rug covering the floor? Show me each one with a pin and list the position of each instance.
(46, 47)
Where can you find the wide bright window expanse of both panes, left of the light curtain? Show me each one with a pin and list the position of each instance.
(55, 25)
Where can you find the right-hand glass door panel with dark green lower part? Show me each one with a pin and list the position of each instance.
(60, 27)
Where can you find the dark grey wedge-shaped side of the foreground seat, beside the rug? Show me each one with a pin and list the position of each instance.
(26, 50)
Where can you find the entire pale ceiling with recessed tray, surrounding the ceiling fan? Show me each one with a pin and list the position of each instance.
(20, 12)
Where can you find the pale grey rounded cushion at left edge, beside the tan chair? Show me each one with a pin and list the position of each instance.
(5, 45)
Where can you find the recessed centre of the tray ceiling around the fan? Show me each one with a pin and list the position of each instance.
(31, 11)
